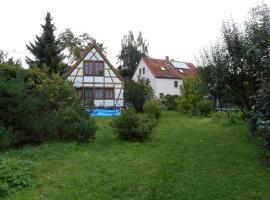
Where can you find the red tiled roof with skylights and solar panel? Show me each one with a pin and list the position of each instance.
(169, 69)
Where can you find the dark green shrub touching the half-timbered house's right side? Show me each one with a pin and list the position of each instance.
(136, 93)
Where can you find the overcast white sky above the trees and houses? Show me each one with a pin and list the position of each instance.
(177, 28)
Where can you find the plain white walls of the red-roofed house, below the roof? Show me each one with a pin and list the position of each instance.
(159, 85)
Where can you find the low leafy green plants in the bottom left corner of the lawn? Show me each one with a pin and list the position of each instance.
(15, 175)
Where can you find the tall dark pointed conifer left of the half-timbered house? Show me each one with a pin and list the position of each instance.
(46, 50)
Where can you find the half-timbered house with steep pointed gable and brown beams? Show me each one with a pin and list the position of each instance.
(96, 80)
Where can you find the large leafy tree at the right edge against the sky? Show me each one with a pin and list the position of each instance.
(235, 67)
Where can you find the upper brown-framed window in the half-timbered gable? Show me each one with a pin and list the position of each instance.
(93, 68)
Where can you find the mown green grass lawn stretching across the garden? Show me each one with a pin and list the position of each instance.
(186, 158)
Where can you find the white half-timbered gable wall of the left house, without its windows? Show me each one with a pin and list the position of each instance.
(109, 80)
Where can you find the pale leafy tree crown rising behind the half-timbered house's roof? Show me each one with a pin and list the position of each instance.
(75, 45)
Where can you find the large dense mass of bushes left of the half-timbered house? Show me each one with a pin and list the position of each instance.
(36, 107)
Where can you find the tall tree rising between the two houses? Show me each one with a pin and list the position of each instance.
(132, 50)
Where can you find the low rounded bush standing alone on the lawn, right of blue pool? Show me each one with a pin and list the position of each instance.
(133, 126)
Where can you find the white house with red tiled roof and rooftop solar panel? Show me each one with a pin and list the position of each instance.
(165, 76)
